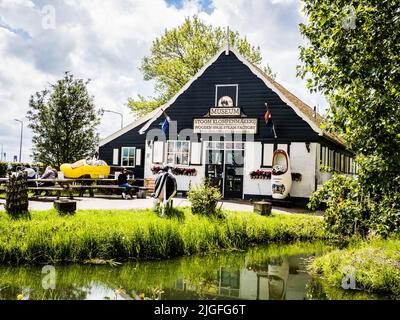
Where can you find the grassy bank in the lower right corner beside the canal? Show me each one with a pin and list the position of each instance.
(376, 265)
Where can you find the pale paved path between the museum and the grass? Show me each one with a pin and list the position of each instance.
(120, 204)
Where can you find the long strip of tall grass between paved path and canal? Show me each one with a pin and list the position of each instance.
(123, 234)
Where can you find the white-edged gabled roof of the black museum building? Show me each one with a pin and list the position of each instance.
(302, 109)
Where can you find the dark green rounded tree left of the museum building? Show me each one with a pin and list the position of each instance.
(63, 119)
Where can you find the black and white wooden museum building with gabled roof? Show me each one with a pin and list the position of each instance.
(219, 117)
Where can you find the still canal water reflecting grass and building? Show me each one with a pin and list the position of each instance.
(261, 273)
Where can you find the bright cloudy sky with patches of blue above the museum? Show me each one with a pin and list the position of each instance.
(105, 40)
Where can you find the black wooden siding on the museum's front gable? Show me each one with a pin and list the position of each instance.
(200, 96)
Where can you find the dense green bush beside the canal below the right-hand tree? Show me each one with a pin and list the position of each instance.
(355, 211)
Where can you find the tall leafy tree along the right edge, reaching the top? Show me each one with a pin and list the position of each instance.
(353, 57)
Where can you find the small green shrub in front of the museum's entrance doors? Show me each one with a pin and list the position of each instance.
(204, 198)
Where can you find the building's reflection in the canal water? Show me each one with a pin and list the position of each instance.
(276, 278)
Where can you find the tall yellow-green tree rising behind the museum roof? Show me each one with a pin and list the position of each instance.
(180, 53)
